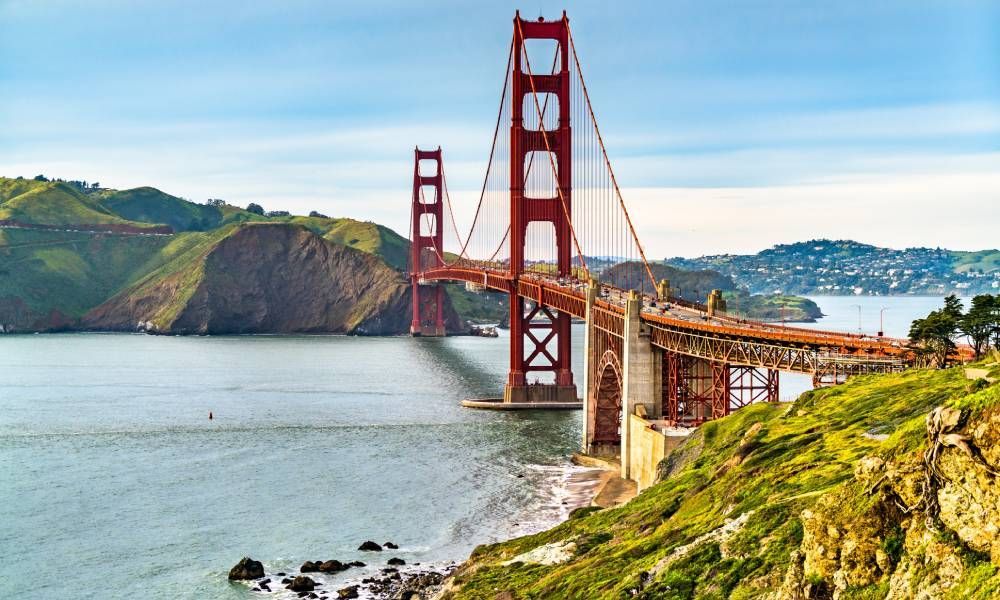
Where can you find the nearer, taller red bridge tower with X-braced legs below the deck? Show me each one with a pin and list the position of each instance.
(540, 337)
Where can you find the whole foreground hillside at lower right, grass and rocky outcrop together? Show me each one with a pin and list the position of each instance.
(790, 501)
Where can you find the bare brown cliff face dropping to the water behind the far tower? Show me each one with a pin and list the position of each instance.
(268, 279)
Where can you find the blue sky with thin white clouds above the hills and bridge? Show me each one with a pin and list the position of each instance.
(731, 126)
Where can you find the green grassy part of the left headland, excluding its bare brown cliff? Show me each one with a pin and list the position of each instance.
(50, 278)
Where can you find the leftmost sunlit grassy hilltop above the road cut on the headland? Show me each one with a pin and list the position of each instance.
(52, 203)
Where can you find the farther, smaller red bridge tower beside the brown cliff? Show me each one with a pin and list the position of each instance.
(426, 251)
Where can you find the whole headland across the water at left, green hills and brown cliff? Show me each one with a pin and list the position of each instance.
(221, 270)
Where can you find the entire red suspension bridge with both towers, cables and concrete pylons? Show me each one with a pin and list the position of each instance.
(552, 232)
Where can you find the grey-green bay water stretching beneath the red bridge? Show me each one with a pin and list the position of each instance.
(115, 484)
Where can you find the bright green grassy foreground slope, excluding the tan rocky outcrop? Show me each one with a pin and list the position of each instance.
(798, 454)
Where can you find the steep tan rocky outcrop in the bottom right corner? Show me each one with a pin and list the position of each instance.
(908, 526)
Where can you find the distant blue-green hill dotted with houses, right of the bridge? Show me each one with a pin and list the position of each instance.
(843, 267)
